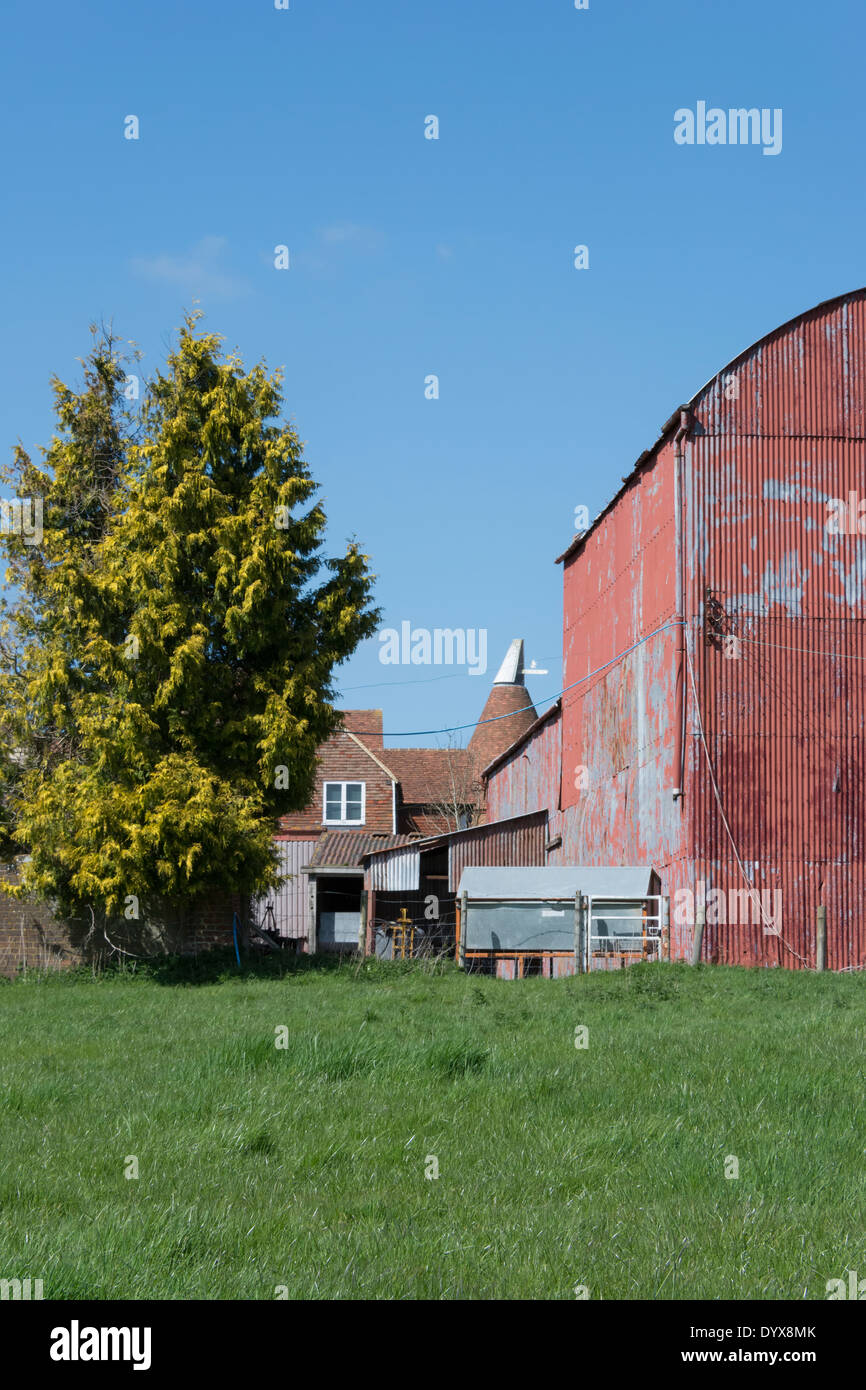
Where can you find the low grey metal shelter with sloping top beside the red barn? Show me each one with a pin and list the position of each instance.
(559, 921)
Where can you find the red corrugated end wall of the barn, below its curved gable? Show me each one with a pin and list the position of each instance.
(785, 718)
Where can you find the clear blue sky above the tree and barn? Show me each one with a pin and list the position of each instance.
(415, 258)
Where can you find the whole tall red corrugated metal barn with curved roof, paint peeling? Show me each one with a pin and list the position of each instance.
(714, 718)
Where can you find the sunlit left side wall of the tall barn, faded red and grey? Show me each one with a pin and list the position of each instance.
(619, 722)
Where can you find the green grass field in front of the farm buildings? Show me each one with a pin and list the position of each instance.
(305, 1168)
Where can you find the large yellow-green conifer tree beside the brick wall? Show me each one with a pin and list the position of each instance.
(170, 646)
